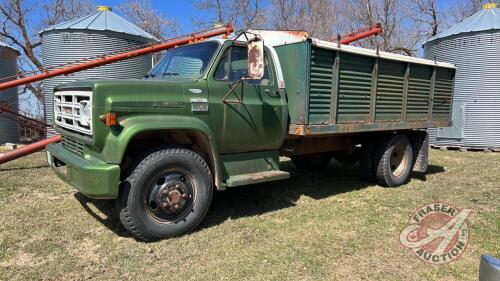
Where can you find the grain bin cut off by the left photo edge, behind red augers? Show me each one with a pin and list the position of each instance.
(9, 129)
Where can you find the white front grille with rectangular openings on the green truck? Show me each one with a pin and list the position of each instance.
(73, 111)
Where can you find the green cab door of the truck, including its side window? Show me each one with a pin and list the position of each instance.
(247, 115)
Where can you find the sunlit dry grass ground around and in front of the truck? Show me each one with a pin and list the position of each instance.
(314, 226)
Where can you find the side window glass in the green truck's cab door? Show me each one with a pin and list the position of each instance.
(238, 68)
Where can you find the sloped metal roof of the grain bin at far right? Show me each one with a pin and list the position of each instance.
(486, 19)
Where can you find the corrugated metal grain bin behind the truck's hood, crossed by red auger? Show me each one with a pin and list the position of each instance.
(102, 32)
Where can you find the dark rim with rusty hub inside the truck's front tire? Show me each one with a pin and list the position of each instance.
(170, 197)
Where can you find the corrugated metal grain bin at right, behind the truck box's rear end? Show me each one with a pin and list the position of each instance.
(474, 46)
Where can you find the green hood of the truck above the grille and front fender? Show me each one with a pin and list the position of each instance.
(130, 94)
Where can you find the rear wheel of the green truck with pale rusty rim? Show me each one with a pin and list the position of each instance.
(393, 161)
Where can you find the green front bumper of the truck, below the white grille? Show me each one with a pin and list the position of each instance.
(92, 177)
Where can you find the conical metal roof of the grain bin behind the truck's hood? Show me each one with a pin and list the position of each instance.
(103, 20)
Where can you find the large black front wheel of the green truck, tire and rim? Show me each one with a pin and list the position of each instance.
(166, 195)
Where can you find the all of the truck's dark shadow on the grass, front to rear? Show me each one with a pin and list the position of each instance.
(261, 198)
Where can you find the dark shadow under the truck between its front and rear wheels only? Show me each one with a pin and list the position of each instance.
(258, 199)
